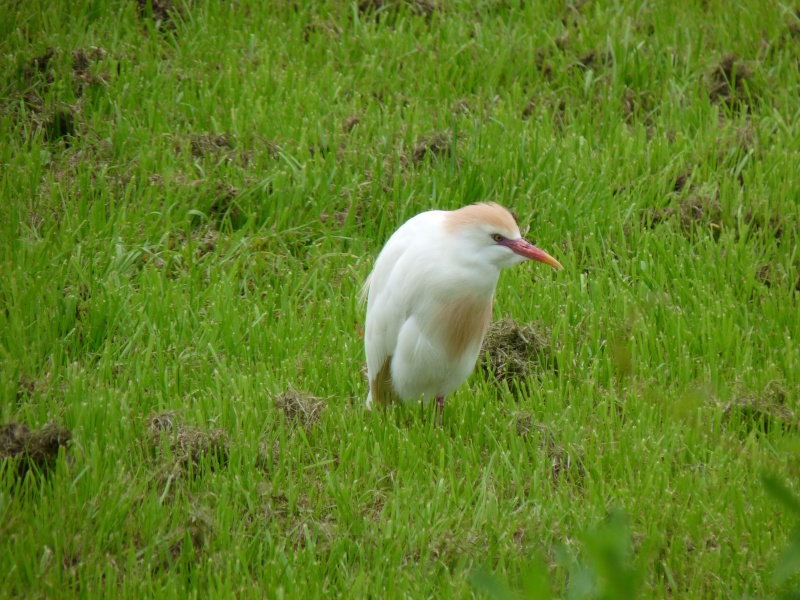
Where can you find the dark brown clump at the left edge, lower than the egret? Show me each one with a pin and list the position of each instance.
(34, 448)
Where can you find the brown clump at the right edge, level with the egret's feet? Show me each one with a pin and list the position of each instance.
(766, 411)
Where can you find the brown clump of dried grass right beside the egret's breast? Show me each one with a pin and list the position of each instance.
(511, 351)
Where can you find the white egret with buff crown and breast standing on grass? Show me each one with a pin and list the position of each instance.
(430, 299)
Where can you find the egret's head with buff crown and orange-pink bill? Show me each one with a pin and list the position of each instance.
(489, 233)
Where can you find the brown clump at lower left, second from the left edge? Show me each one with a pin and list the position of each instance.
(188, 445)
